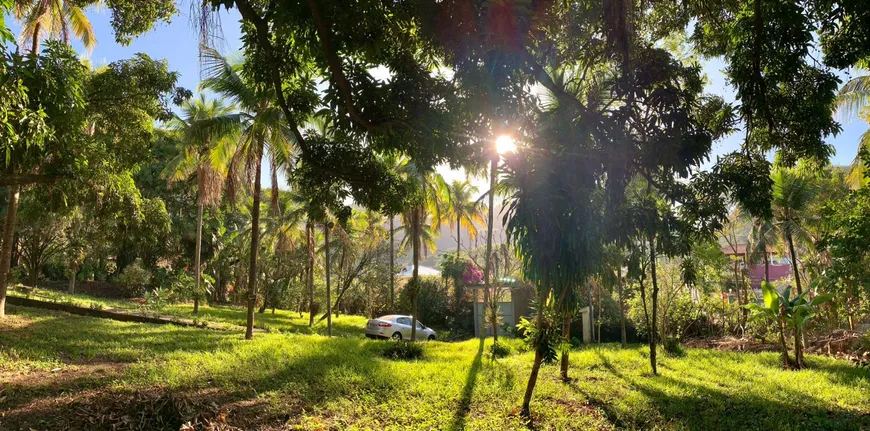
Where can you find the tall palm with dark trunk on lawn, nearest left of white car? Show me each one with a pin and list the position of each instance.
(263, 130)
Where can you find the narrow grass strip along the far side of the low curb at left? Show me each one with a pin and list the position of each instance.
(280, 321)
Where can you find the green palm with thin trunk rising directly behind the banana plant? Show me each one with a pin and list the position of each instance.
(793, 193)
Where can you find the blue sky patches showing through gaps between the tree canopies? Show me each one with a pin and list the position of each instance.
(177, 43)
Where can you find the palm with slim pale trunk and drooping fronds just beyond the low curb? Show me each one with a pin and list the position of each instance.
(199, 136)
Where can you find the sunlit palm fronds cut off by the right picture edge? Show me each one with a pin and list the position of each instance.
(853, 99)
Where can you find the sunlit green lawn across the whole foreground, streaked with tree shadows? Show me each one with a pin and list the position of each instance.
(60, 371)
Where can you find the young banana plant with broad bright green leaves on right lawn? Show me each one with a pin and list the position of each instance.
(794, 312)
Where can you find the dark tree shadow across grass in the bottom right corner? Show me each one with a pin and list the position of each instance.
(677, 402)
